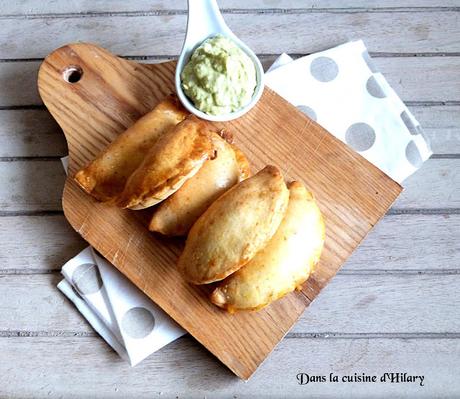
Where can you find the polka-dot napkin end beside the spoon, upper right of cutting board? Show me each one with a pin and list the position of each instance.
(342, 91)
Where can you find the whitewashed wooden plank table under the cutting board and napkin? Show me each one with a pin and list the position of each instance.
(394, 307)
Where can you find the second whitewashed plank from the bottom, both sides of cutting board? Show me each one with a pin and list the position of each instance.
(386, 304)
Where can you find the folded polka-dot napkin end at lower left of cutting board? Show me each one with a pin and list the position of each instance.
(122, 314)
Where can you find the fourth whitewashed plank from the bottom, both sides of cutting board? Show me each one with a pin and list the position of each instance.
(36, 185)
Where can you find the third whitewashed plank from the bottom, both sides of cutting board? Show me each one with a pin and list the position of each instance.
(42, 244)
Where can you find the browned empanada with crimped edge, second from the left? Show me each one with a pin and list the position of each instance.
(174, 158)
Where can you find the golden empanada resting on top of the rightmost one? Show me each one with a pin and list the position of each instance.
(235, 227)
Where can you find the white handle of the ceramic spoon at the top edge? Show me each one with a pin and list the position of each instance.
(204, 20)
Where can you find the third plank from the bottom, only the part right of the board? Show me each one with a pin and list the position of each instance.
(390, 246)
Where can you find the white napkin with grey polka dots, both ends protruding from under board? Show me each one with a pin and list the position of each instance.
(342, 91)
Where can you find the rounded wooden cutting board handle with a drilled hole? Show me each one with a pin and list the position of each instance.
(81, 82)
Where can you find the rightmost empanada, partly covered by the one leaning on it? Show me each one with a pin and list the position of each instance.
(284, 264)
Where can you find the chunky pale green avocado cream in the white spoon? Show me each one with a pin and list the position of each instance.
(220, 77)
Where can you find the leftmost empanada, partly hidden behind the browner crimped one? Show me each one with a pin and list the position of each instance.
(105, 177)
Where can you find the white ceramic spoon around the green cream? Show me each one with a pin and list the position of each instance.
(204, 21)
